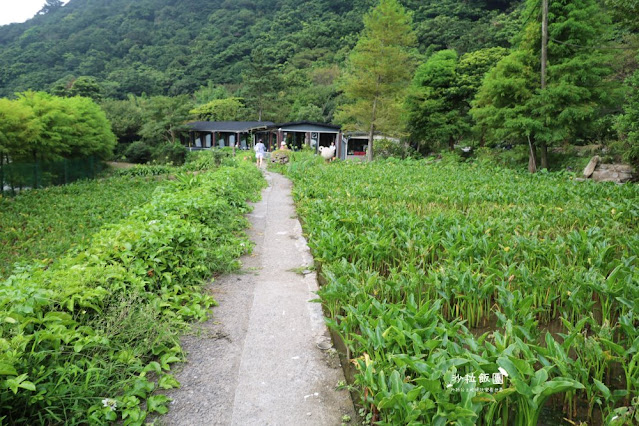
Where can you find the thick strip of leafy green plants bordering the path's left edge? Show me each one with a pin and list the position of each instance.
(91, 338)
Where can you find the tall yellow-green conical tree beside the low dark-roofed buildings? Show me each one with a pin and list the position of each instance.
(379, 72)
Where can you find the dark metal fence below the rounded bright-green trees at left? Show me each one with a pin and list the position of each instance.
(14, 177)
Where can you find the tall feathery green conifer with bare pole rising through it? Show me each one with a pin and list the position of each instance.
(511, 100)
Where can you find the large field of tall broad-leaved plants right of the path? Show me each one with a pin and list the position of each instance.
(478, 296)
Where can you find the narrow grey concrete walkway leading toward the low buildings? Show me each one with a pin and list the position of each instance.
(258, 360)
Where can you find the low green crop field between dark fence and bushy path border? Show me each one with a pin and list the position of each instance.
(42, 225)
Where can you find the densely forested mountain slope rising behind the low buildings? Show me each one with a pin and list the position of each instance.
(173, 47)
